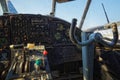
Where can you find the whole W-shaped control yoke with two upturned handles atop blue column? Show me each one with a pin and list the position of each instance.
(97, 37)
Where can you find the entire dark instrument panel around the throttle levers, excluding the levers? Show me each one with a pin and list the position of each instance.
(49, 31)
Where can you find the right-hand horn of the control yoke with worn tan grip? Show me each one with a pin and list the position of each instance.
(99, 38)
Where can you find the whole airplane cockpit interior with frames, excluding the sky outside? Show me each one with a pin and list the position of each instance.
(45, 47)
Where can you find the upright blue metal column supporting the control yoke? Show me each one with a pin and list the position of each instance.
(87, 58)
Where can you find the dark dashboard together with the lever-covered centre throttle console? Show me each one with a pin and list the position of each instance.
(46, 33)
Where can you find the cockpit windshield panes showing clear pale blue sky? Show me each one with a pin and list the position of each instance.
(73, 9)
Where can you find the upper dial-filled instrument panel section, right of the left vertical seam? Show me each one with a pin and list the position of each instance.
(38, 29)
